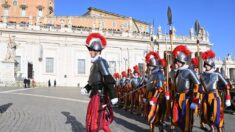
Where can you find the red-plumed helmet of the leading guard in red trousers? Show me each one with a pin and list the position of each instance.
(96, 42)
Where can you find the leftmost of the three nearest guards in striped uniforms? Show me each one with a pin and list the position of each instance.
(156, 84)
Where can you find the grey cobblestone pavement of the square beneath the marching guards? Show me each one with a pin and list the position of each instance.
(63, 110)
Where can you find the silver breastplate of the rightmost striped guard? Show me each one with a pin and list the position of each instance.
(210, 81)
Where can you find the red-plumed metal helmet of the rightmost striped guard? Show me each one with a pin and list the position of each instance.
(209, 58)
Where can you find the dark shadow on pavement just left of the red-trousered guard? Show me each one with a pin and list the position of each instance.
(76, 125)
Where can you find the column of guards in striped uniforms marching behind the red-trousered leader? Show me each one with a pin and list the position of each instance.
(176, 96)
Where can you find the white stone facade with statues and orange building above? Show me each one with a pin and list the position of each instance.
(47, 47)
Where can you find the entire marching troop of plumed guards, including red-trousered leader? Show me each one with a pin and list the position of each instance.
(176, 94)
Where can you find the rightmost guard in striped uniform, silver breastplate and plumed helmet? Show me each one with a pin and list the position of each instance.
(212, 105)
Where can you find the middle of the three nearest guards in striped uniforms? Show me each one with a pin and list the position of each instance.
(187, 85)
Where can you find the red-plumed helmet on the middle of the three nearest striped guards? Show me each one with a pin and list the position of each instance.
(181, 53)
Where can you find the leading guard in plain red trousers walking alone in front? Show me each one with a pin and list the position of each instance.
(100, 87)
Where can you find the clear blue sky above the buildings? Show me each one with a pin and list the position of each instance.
(217, 16)
